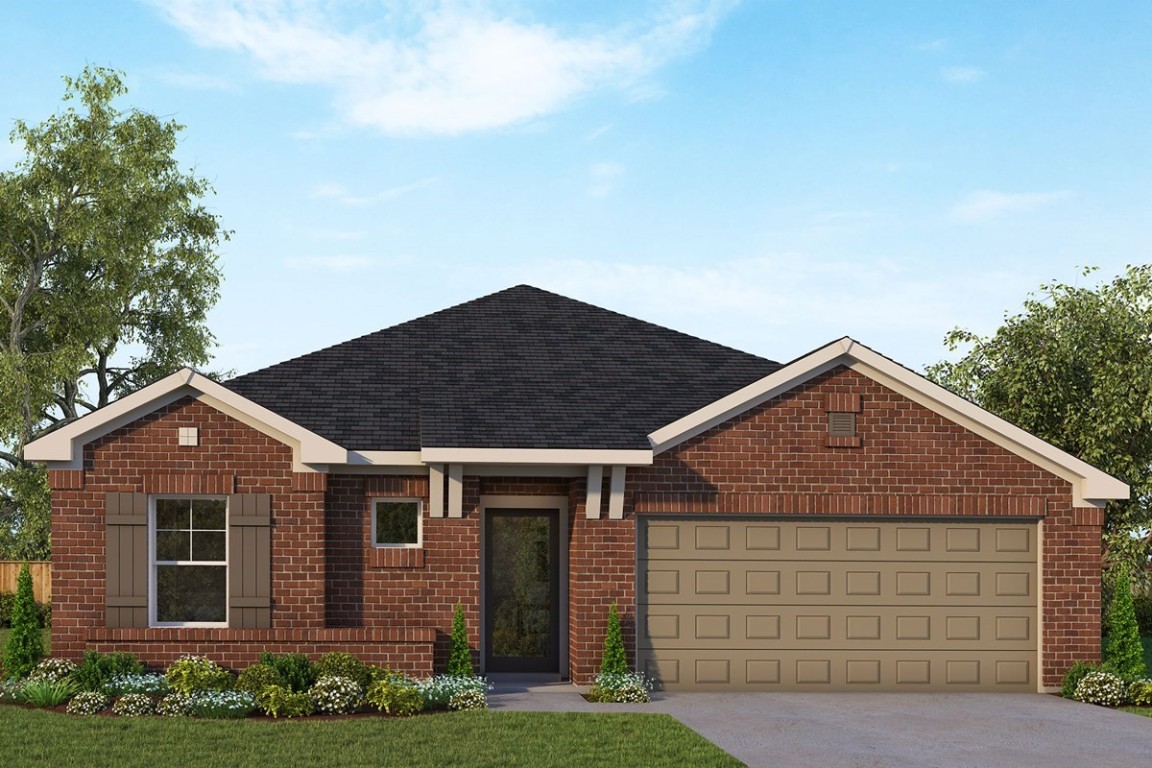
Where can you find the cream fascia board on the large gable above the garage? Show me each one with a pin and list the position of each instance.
(1090, 486)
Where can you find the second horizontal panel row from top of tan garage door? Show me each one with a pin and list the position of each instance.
(838, 583)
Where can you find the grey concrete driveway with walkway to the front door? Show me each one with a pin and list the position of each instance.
(874, 731)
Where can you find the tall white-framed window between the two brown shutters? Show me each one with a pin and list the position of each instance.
(188, 546)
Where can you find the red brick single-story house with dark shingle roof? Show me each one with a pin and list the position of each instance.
(835, 523)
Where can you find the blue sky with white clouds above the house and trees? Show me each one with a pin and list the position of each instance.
(769, 174)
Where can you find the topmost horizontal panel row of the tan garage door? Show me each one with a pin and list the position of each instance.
(721, 539)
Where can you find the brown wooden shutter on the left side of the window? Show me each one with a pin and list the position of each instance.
(126, 556)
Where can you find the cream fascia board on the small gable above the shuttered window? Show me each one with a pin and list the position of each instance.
(66, 446)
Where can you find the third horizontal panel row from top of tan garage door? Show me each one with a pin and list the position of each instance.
(836, 627)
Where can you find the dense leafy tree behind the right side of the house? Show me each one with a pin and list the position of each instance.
(1075, 369)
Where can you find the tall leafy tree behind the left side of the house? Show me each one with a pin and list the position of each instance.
(108, 271)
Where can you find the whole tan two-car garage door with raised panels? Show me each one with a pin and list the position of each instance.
(822, 606)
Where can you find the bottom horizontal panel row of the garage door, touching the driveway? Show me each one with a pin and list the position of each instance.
(865, 671)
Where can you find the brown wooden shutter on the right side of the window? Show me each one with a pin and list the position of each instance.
(251, 561)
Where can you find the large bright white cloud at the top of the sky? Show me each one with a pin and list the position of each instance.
(443, 66)
